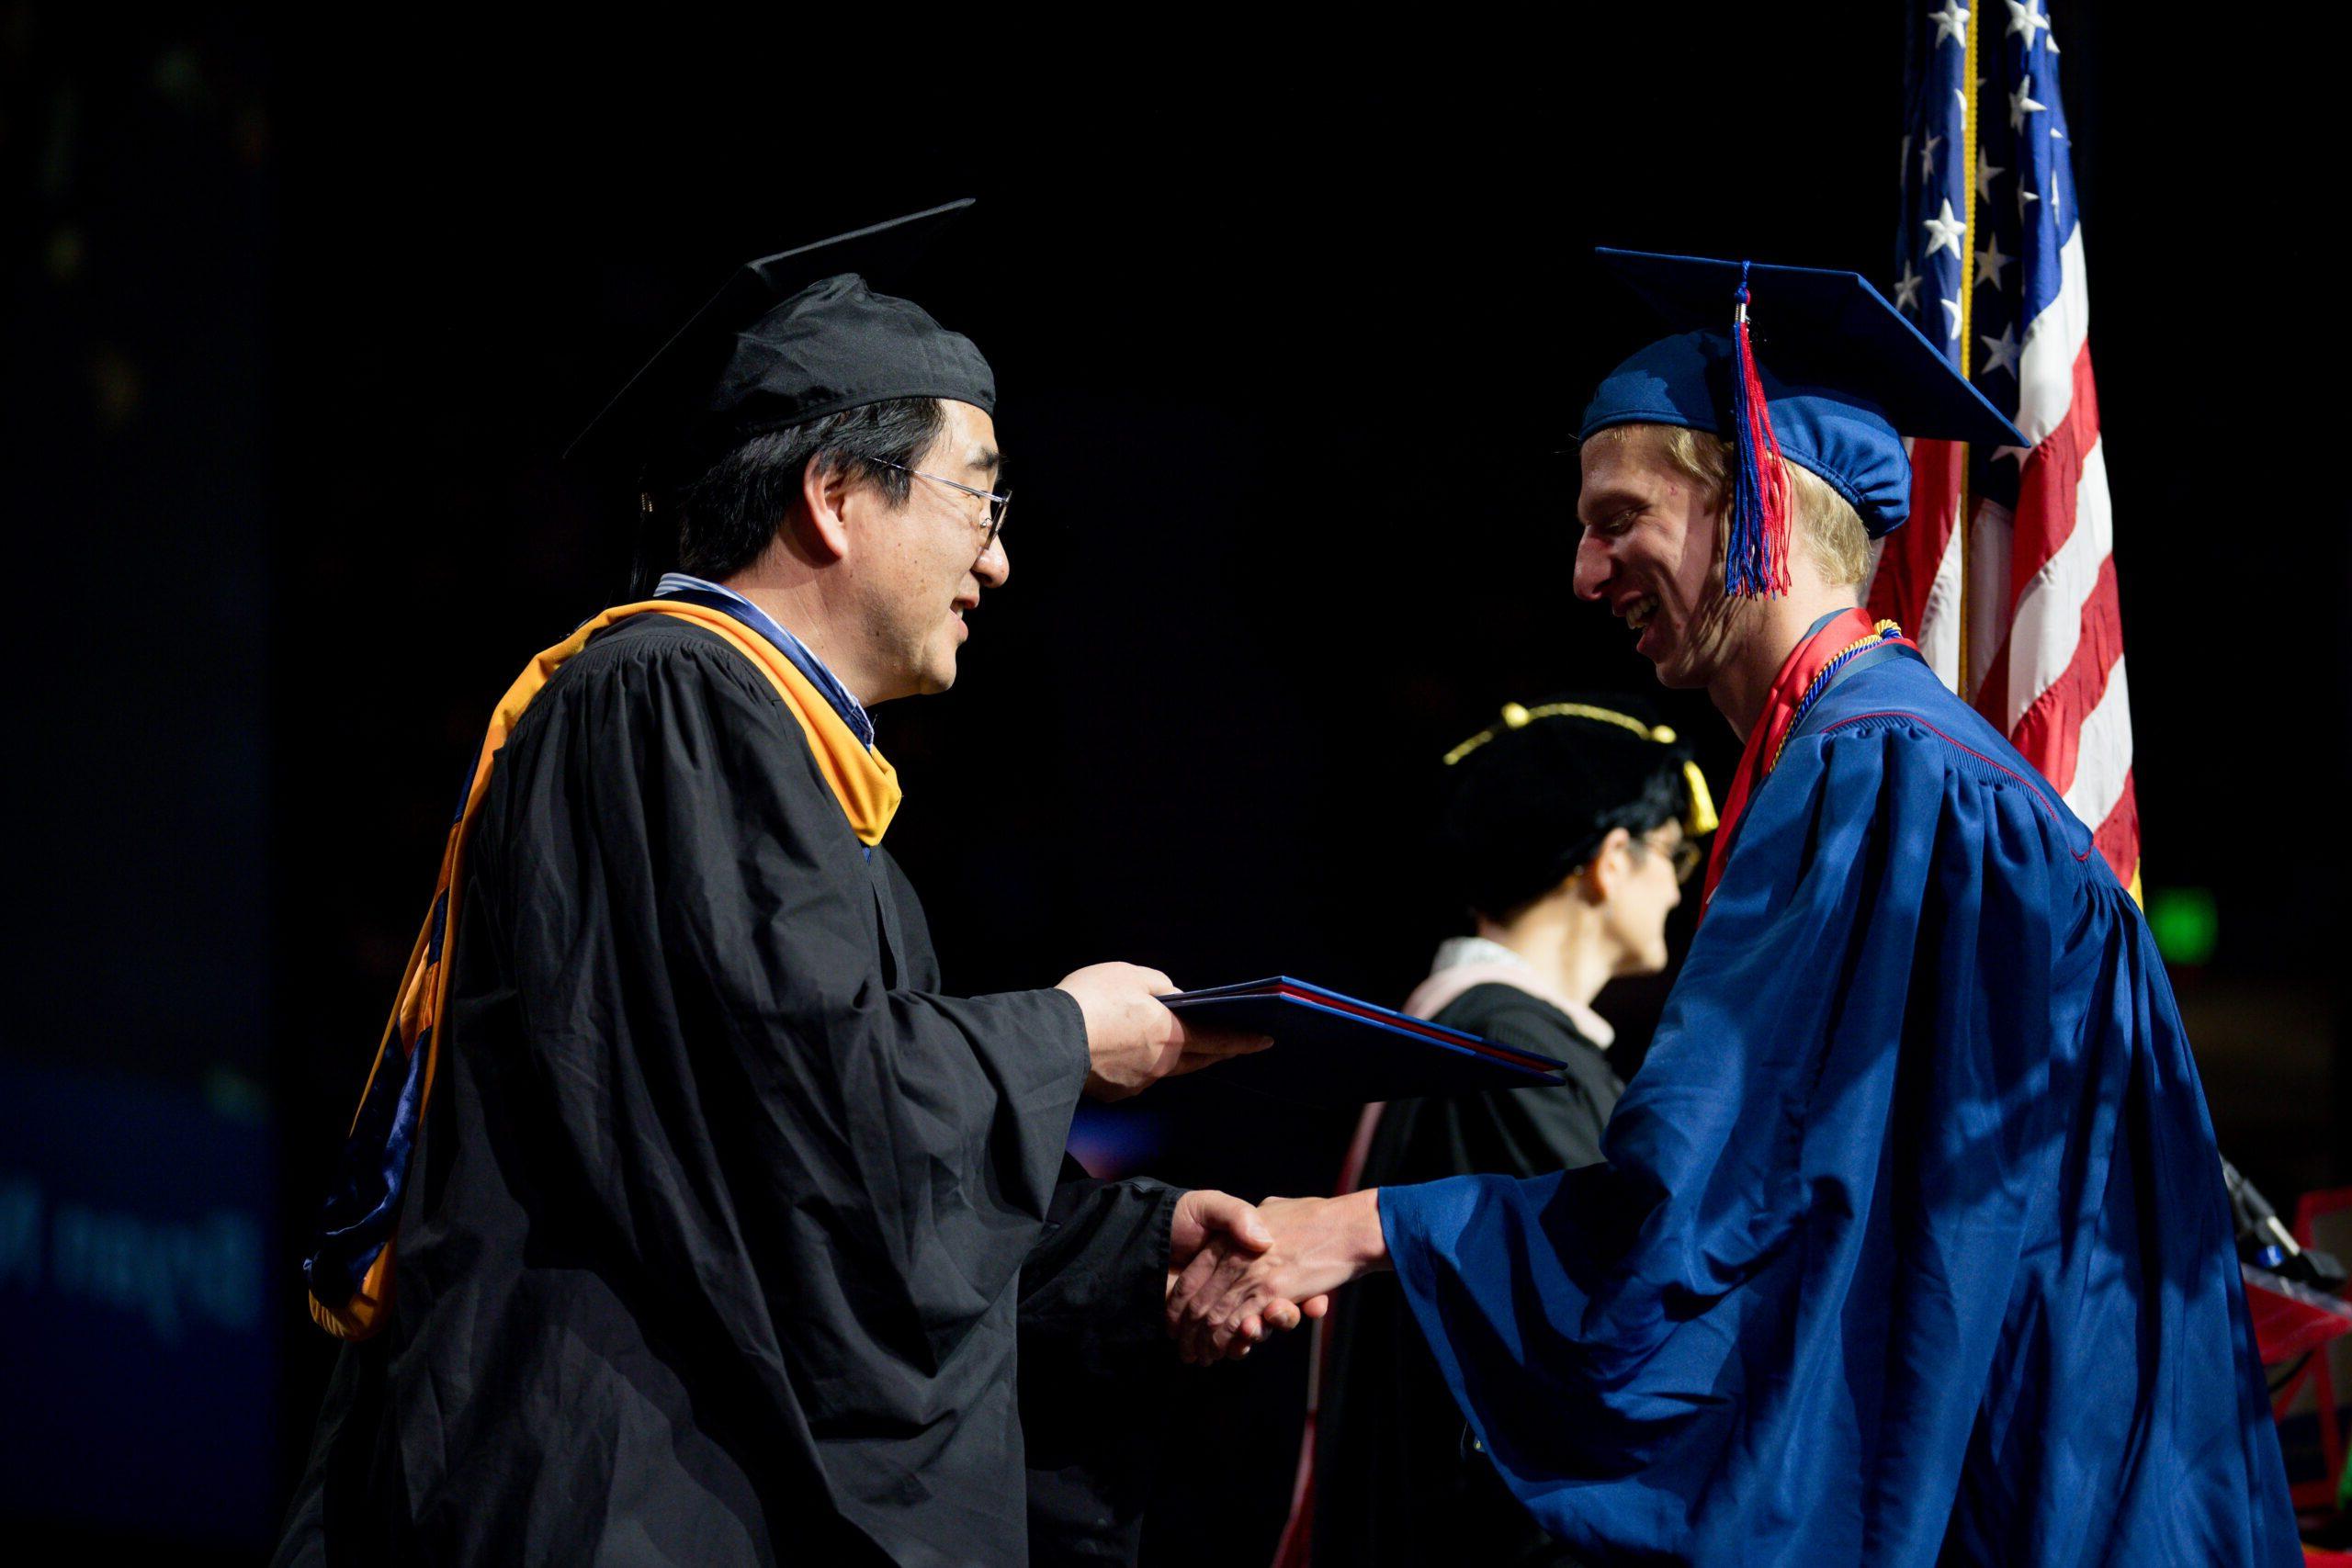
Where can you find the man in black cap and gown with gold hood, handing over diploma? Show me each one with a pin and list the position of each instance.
(716, 1219)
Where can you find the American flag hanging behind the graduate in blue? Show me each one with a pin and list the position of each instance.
(2017, 608)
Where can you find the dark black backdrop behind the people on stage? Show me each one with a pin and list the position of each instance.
(1290, 337)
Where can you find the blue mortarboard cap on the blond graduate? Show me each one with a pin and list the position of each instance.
(1845, 377)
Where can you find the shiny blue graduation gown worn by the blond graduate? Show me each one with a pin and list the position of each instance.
(1913, 1127)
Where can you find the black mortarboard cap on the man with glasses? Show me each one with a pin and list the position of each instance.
(791, 337)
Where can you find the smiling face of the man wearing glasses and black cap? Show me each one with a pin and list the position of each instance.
(921, 565)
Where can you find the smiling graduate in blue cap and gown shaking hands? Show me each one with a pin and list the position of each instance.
(1911, 1245)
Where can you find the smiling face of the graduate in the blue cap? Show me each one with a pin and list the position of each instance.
(1652, 554)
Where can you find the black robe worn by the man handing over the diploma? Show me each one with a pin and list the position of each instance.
(723, 1221)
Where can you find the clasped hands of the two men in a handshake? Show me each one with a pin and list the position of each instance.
(1243, 1273)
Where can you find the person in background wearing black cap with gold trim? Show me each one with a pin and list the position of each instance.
(1568, 833)
